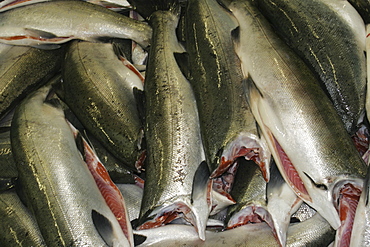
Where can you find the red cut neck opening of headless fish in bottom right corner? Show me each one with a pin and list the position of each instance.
(346, 198)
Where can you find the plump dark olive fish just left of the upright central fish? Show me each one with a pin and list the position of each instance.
(98, 88)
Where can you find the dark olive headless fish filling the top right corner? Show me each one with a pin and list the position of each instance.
(330, 36)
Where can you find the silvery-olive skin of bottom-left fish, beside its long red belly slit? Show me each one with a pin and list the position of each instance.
(59, 188)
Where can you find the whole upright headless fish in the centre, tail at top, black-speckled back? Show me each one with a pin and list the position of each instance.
(172, 129)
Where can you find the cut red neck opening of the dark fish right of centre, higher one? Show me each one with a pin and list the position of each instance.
(249, 146)
